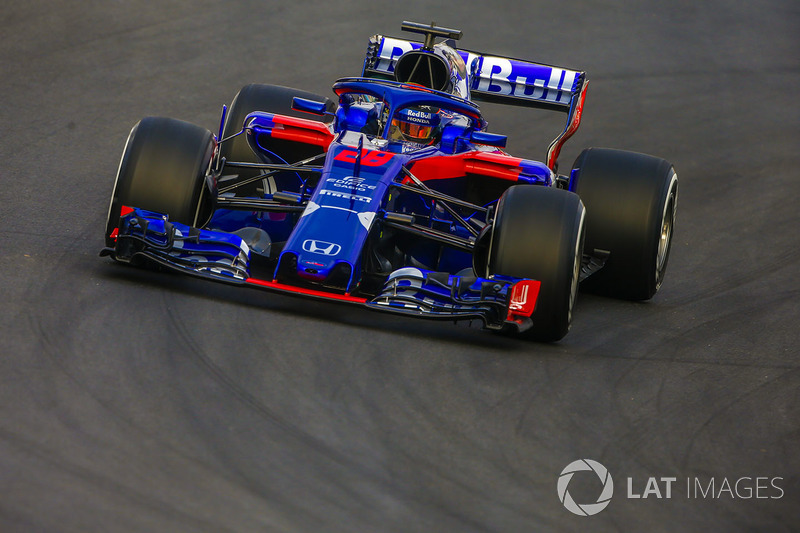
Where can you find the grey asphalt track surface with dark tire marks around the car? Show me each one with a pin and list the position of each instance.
(142, 401)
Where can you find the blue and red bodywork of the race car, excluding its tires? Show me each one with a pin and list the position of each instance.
(362, 227)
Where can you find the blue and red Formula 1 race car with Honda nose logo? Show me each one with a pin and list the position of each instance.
(395, 197)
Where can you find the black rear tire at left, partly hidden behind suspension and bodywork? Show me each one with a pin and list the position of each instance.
(271, 99)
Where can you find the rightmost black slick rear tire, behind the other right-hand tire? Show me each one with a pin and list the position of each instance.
(630, 200)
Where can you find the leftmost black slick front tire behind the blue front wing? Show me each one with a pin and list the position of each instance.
(163, 168)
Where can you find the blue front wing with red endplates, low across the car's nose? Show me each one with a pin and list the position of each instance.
(226, 257)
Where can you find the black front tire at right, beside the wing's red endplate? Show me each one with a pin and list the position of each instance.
(538, 234)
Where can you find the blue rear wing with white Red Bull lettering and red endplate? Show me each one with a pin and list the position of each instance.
(498, 79)
